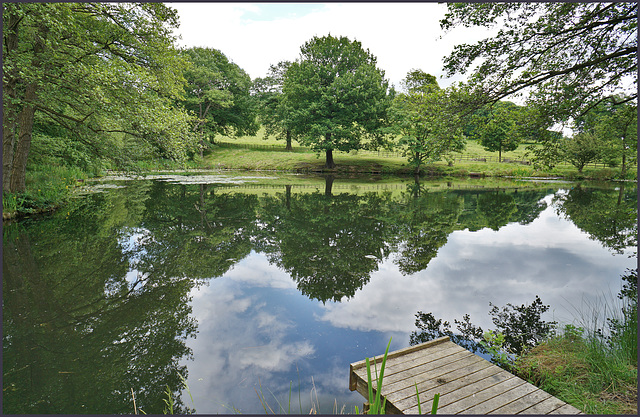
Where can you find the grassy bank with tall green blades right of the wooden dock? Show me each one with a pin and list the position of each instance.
(593, 367)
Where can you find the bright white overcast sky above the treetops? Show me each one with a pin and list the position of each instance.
(403, 36)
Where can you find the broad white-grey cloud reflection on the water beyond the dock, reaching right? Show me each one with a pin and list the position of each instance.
(475, 268)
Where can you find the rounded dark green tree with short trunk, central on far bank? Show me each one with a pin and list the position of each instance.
(337, 96)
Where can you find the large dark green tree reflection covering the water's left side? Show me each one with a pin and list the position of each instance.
(77, 334)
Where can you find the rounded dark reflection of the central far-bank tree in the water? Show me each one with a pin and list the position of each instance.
(329, 244)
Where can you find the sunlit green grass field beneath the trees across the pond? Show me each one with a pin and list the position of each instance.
(257, 153)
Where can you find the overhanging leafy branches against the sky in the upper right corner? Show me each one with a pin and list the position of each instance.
(570, 55)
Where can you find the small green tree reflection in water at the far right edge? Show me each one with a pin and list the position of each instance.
(608, 216)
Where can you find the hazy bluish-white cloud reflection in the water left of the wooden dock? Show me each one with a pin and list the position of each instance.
(240, 344)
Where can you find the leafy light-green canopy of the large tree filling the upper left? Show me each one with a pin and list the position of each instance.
(101, 71)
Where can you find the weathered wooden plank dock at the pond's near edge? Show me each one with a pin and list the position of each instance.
(467, 383)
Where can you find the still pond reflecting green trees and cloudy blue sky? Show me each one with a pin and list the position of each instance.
(261, 290)
